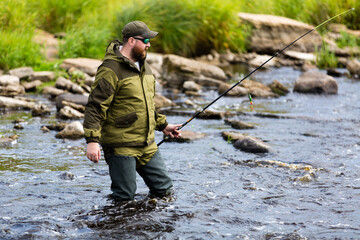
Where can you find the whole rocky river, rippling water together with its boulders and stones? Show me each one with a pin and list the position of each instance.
(287, 168)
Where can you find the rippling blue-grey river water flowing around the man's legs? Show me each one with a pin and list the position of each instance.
(308, 186)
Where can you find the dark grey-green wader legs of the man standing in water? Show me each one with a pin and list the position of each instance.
(123, 170)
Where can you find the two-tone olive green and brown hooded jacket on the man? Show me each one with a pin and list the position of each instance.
(121, 110)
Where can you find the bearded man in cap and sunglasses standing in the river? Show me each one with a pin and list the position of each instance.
(120, 115)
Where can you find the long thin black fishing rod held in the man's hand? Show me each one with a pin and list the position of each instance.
(276, 54)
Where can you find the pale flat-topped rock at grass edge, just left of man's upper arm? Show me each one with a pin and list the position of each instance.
(87, 65)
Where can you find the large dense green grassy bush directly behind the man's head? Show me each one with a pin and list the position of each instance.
(186, 28)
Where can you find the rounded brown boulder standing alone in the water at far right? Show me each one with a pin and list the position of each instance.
(316, 82)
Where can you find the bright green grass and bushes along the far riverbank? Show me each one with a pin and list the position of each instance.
(188, 28)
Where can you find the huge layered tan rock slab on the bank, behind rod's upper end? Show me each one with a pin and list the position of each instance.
(272, 33)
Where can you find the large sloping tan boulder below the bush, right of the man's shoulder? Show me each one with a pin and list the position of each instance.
(177, 70)
